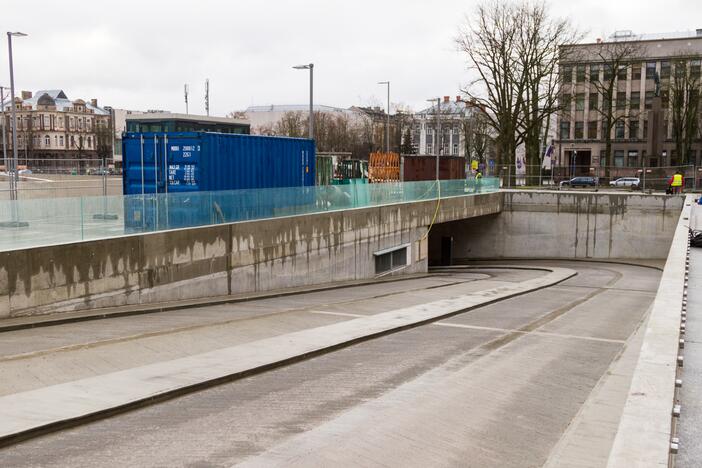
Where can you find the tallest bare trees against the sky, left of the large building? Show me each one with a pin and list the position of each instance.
(514, 49)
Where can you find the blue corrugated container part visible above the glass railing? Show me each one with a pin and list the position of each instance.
(203, 161)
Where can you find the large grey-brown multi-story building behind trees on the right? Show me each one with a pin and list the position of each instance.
(640, 99)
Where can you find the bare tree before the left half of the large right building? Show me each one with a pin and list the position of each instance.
(613, 60)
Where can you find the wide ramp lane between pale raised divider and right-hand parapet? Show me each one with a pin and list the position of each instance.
(471, 390)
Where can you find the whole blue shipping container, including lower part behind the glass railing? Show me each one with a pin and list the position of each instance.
(182, 163)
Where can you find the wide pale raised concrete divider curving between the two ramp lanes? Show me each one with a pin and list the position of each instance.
(28, 414)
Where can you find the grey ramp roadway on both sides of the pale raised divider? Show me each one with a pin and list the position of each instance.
(497, 386)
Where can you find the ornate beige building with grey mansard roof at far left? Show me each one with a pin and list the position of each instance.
(54, 132)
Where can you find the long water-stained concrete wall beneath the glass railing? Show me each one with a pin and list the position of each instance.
(222, 260)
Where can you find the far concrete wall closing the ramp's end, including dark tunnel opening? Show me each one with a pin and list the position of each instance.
(568, 225)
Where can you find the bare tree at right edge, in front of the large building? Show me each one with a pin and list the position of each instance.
(685, 96)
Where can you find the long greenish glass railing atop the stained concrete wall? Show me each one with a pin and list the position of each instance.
(38, 222)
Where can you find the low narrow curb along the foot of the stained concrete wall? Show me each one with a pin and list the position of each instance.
(23, 323)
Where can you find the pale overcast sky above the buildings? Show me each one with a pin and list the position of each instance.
(138, 54)
